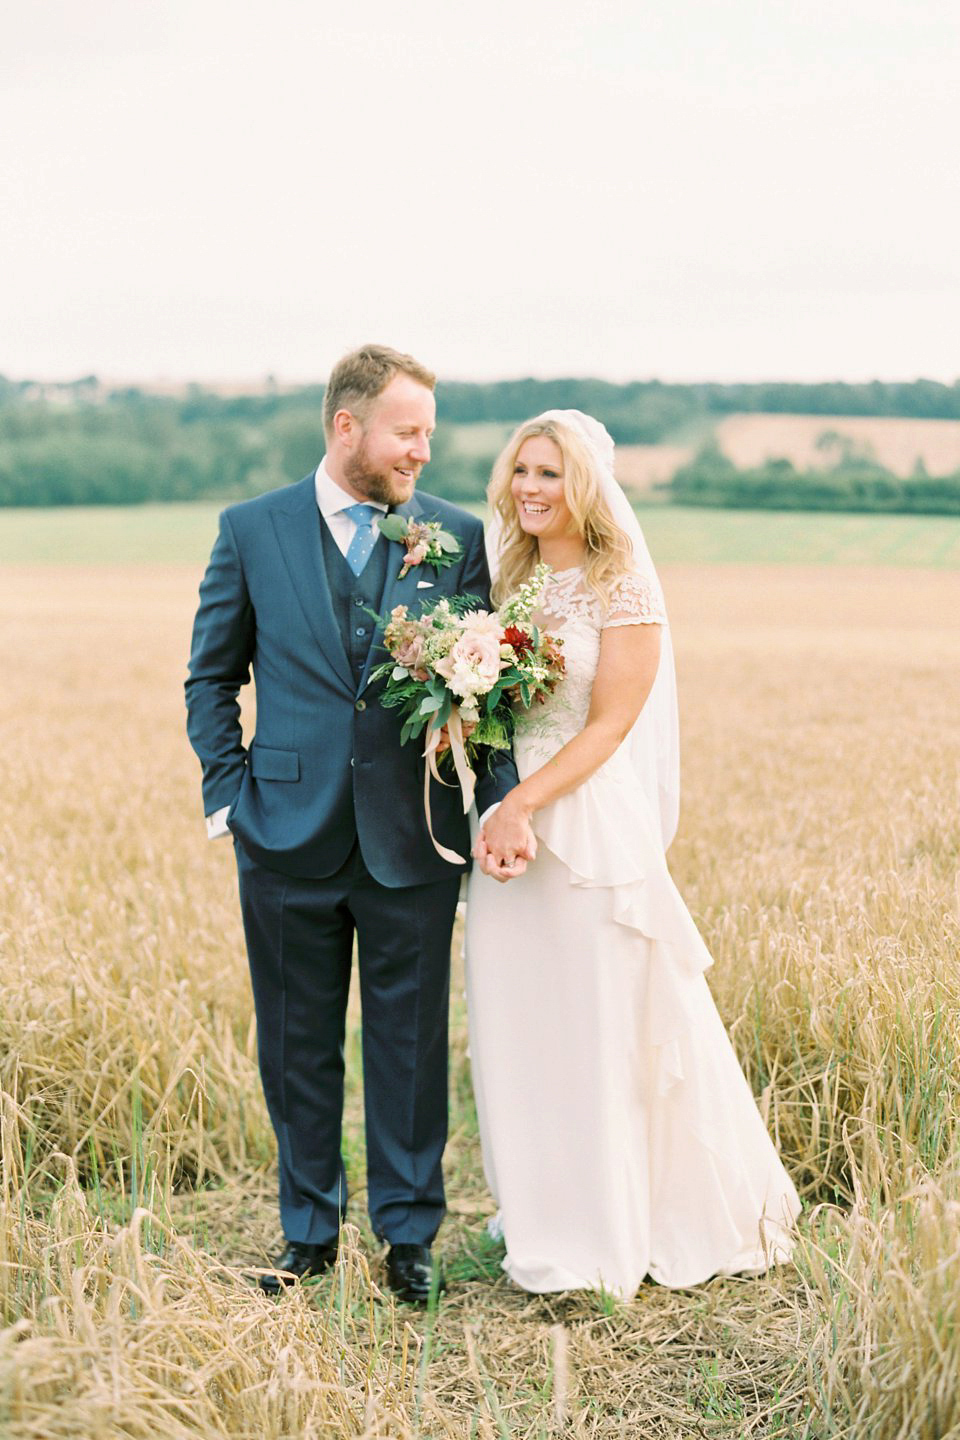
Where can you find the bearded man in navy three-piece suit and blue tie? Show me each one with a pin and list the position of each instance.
(326, 809)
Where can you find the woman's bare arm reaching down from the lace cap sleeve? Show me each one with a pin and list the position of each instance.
(630, 656)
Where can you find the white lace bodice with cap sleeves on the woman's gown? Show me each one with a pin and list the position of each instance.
(571, 610)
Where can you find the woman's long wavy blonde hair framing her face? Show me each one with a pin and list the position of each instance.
(610, 552)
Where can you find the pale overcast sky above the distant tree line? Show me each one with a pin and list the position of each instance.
(725, 189)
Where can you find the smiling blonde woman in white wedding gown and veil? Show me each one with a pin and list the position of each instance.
(620, 1134)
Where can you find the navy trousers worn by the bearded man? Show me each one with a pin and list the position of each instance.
(300, 937)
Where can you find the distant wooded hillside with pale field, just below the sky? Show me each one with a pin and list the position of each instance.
(91, 443)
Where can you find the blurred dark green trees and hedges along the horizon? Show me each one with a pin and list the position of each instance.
(84, 444)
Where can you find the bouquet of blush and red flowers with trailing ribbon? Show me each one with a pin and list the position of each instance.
(467, 669)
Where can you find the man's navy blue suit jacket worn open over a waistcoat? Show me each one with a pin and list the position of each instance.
(326, 765)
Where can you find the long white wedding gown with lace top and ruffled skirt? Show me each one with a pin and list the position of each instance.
(620, 1135)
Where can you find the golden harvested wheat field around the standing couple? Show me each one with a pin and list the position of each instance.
(820, 843)
